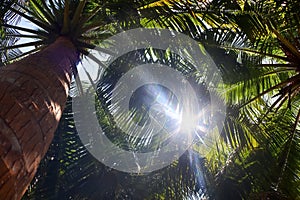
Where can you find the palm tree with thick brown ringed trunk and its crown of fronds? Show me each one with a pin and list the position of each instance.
(36, 83)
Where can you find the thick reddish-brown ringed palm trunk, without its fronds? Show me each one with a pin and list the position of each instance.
(33, 92)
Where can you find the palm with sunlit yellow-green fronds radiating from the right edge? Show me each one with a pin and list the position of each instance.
(260, 141)
